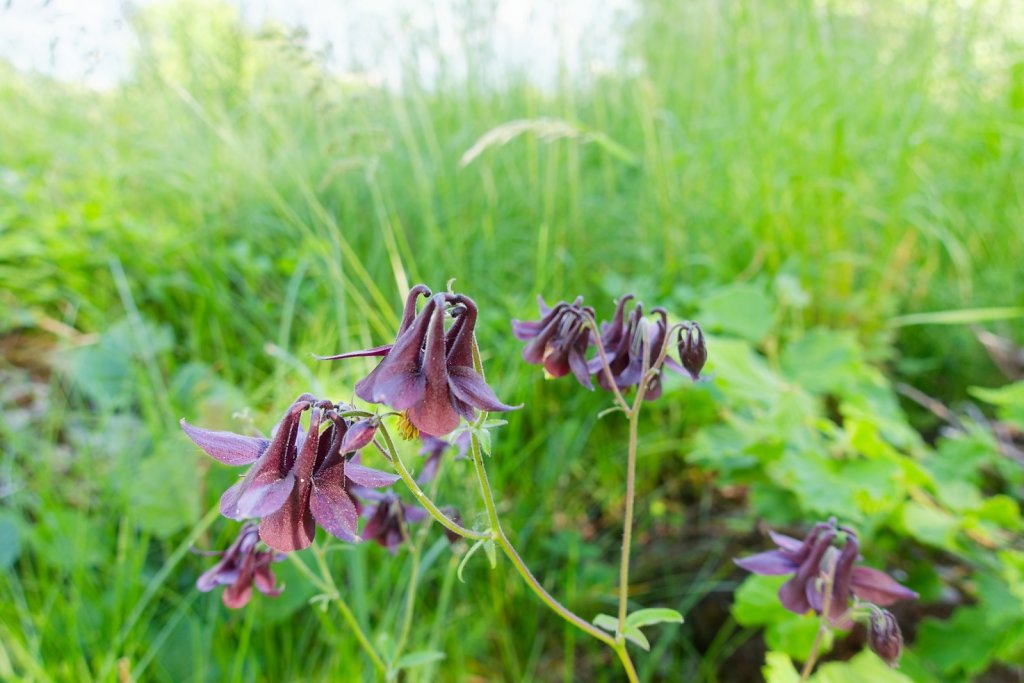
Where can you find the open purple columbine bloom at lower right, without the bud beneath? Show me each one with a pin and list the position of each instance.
(815, 559)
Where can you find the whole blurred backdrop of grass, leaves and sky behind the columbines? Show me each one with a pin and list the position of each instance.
(195, 197)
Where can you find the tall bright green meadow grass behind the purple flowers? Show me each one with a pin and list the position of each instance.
(181, 245)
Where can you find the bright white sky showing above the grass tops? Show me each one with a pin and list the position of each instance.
(90, 41)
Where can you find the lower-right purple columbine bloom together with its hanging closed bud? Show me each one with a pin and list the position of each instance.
(827, 577)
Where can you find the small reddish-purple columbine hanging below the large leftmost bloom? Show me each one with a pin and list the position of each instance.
(241, 567)
